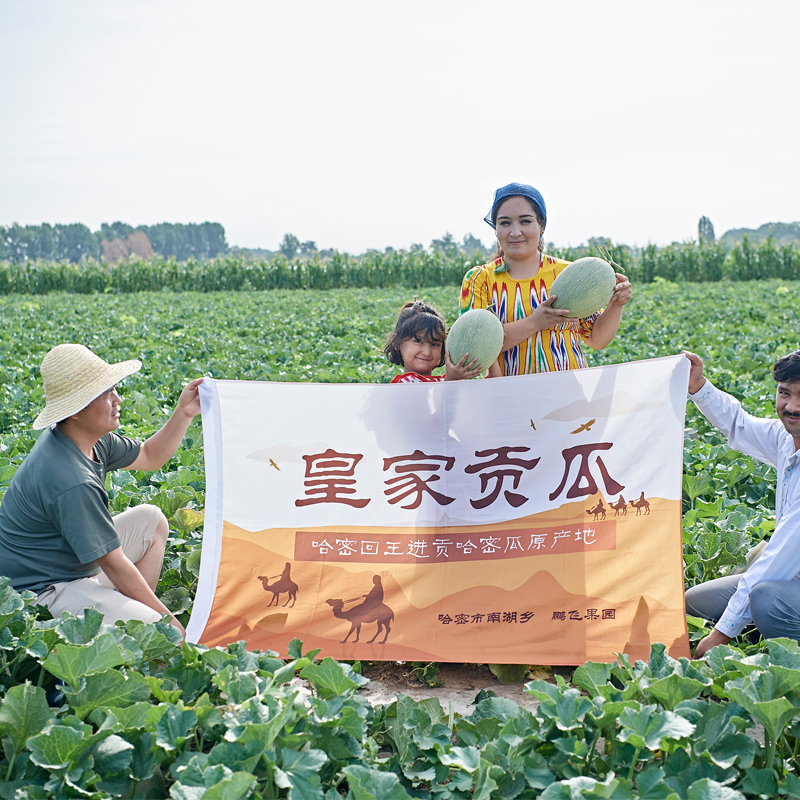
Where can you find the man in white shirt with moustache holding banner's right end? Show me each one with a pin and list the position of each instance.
(768, 592)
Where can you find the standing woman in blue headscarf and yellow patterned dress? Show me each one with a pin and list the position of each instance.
(516, 286)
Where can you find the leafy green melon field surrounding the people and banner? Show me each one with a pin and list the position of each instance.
(143, 716)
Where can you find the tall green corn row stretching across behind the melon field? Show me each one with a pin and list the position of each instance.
(677, 263)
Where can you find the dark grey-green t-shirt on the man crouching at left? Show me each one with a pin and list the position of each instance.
(54, 517)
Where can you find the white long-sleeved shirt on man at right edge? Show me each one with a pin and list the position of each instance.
(768, 441)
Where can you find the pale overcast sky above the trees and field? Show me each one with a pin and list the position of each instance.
(374, 124)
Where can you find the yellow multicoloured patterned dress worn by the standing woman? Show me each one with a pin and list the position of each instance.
(551, 350)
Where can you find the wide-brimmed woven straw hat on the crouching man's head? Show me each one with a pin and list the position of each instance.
(74, 376)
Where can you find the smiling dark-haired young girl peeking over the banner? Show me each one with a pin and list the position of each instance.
(418, 346)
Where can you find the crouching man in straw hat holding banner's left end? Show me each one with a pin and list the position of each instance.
(57, 536)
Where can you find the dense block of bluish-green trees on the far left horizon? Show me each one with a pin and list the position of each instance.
(76, 243)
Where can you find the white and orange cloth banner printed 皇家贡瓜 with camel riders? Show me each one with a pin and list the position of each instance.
(425, 513)
